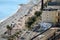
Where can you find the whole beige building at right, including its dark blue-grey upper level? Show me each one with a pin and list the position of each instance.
(51, 12)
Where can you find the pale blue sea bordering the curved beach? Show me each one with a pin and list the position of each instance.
(8, 7)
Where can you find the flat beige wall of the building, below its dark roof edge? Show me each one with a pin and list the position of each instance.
(49, 16)
